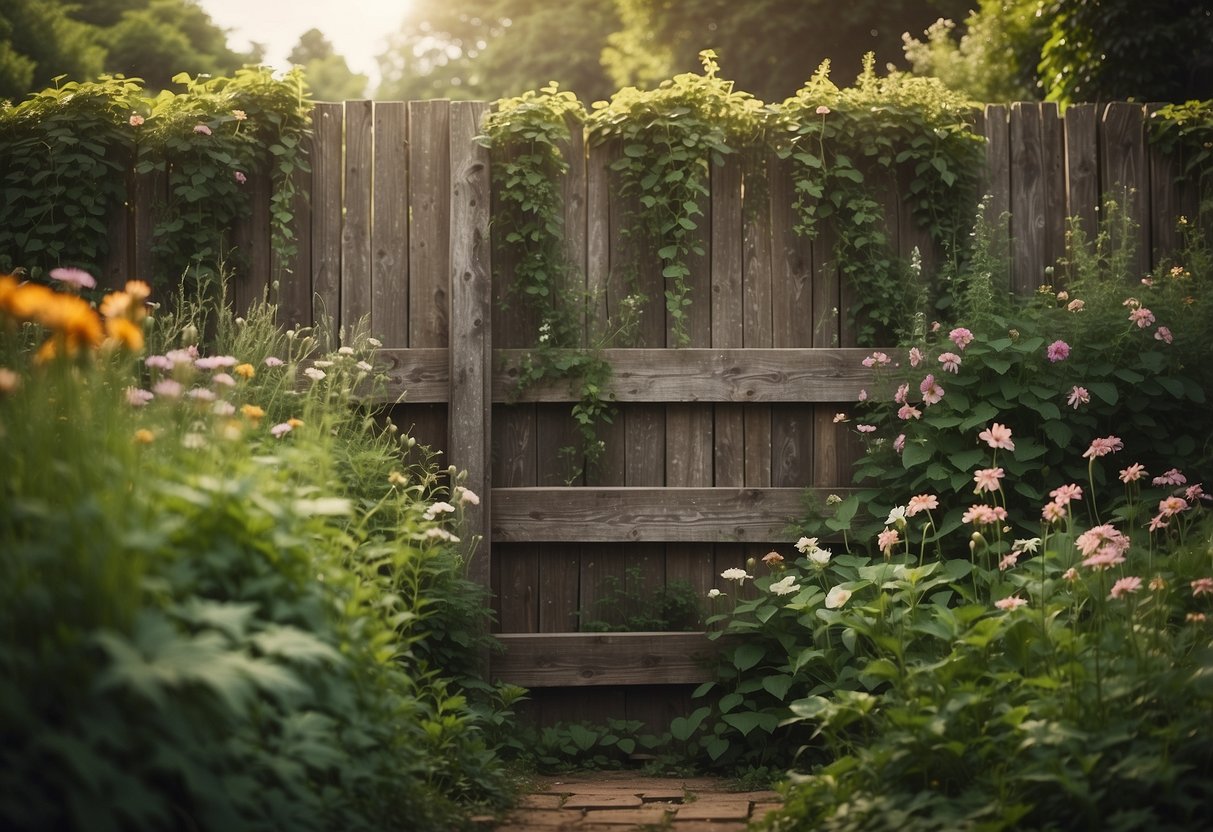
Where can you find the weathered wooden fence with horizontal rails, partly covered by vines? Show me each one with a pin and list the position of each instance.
(714, 446)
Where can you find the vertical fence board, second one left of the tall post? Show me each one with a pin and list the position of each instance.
(390, 226)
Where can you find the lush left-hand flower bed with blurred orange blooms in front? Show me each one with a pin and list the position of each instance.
(231, 600)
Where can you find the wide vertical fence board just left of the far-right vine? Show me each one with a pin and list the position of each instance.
(1125, 174)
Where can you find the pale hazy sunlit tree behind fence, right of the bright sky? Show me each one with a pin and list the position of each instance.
(491, 49)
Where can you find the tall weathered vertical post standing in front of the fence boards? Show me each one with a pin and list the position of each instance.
(470, 441)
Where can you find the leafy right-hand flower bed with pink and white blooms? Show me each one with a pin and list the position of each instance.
(1016, 632)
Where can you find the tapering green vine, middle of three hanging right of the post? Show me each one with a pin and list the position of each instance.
(669, 138)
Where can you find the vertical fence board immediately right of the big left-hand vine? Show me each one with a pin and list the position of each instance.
(328, 122)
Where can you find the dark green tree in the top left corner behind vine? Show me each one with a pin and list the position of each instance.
(38, 42)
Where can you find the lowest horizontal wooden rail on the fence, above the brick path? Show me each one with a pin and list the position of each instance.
(561, 660)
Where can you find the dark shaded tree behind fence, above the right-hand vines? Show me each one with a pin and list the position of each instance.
(770, 48)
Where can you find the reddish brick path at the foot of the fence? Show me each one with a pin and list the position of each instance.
(624, 802)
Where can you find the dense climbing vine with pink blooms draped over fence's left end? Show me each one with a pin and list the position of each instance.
(72, 153)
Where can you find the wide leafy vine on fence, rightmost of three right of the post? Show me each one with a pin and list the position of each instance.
(887, 135)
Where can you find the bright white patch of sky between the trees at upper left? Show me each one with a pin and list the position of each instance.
(356, 29)
